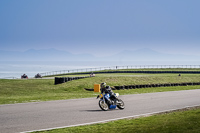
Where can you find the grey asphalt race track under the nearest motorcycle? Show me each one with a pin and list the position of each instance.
(63, 113)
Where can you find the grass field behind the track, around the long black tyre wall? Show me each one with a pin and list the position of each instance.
(32, 90)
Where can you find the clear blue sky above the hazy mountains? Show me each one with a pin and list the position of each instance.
(101, 27)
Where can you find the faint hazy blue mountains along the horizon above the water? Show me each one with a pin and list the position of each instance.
(125, 55)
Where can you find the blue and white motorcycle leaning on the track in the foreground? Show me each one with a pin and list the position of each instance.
(106, 102)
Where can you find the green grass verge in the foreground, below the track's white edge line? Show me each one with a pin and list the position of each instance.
(174, 122)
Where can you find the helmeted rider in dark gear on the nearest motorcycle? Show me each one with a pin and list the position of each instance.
(107, 89)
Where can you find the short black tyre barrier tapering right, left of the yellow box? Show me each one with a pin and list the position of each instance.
(60, 80)
